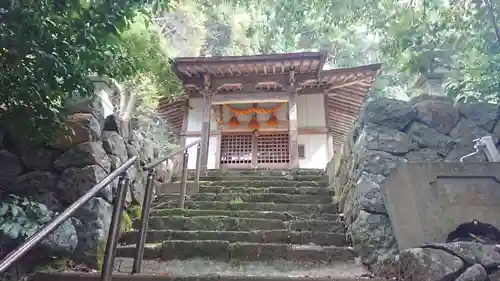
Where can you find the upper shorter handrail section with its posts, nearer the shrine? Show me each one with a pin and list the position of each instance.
(148, 196)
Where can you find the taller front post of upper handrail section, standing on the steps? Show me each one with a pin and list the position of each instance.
(146, 206)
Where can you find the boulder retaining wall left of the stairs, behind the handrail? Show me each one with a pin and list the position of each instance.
(58, 174)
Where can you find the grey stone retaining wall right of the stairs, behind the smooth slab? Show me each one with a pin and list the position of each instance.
(426, 129)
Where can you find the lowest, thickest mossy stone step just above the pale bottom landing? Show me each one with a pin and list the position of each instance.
(243, 251)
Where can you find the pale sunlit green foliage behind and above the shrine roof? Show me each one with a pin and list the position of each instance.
(405, 35)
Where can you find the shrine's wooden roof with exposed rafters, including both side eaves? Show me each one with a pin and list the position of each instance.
(345, 89)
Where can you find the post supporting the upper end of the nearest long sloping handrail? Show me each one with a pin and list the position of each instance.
(114, 229)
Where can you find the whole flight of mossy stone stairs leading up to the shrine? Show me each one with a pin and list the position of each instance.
(258, 224)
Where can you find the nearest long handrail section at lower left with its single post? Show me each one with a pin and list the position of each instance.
(114, 230)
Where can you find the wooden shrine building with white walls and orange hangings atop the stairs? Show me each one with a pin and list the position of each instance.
(266, 111)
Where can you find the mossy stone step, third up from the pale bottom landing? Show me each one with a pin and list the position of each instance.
(224, 223)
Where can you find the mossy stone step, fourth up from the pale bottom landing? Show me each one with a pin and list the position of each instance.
(253, 206)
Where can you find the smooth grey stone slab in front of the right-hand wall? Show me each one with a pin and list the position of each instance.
(426, 201)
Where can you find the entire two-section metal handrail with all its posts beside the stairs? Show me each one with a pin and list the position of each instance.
(118, 207)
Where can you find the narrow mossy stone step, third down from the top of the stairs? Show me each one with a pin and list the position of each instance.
(281, 189)
